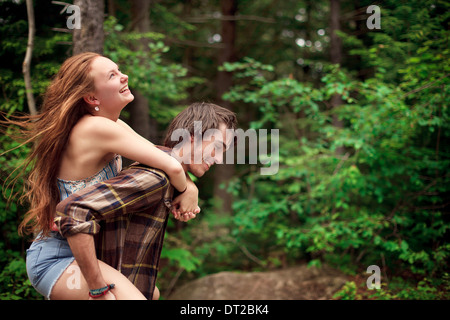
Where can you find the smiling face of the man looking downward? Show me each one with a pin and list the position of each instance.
(208, 151)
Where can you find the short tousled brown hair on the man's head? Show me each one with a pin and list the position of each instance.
(210, 115)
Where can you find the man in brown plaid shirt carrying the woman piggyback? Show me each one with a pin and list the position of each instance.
(127, 215)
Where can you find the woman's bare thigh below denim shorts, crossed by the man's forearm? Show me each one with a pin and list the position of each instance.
(72, 285)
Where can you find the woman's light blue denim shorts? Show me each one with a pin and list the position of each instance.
(47, 258)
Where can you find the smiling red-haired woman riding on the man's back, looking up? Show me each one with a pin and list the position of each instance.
(78, 141)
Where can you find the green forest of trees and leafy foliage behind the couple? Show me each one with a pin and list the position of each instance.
(362, 113)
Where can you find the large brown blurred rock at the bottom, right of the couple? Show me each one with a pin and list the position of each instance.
(297, 283)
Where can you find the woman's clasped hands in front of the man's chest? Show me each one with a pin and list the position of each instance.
(185, 206)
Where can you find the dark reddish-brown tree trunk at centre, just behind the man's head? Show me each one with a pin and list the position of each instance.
(224, 81)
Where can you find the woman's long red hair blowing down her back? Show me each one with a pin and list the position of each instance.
(49, 131)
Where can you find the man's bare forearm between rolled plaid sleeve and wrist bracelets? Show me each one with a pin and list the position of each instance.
(83, 249)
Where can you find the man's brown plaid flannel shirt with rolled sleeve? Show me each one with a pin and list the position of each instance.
(128, 216)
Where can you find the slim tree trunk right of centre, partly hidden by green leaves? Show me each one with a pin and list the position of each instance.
(335, 57)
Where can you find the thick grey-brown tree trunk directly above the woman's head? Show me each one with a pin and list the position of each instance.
(90, 37)
